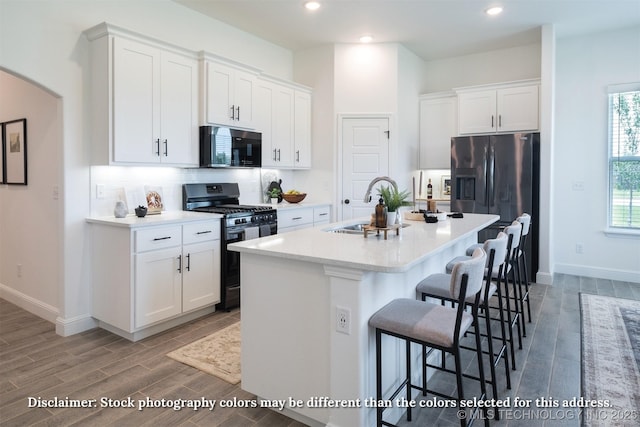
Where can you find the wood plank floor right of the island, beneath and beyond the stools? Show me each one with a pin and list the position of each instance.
(548, 366)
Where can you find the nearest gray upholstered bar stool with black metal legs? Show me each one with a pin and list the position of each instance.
(434, 326)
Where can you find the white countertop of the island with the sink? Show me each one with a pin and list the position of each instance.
(397, 253)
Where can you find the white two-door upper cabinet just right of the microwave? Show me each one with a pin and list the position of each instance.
(283, 116)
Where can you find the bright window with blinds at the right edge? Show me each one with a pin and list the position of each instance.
(624, 157)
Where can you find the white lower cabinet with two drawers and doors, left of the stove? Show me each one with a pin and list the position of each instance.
(146, 279)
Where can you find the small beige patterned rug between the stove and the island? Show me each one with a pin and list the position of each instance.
(217, 354)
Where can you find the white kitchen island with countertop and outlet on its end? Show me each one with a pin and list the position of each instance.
(307, 297)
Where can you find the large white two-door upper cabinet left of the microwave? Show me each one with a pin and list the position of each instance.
(145, 100)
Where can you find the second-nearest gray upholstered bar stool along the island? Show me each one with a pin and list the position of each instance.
(437, 286)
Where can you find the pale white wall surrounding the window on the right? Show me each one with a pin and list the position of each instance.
(585, 66)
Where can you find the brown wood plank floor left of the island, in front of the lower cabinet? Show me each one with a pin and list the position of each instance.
(35, 362)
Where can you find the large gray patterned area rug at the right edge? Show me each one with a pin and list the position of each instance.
(610, 359)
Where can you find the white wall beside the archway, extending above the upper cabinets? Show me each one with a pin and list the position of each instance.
(43, 41)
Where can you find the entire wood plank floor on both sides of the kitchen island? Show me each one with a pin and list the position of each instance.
(37, 363)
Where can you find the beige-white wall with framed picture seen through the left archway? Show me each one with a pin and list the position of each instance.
(30, 215)
